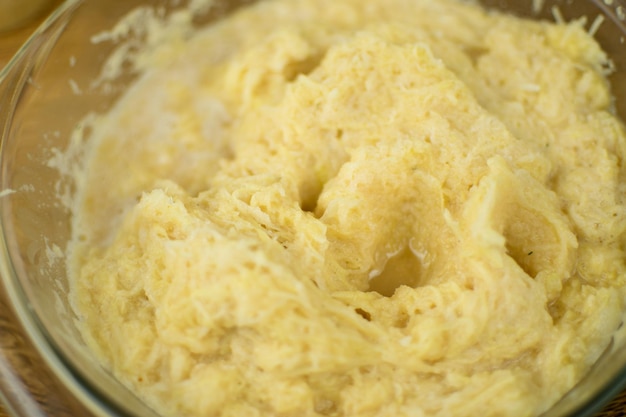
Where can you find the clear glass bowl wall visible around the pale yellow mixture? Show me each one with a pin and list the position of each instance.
(39, 110)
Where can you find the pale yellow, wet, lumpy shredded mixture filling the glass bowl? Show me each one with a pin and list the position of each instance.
(356, 208)
